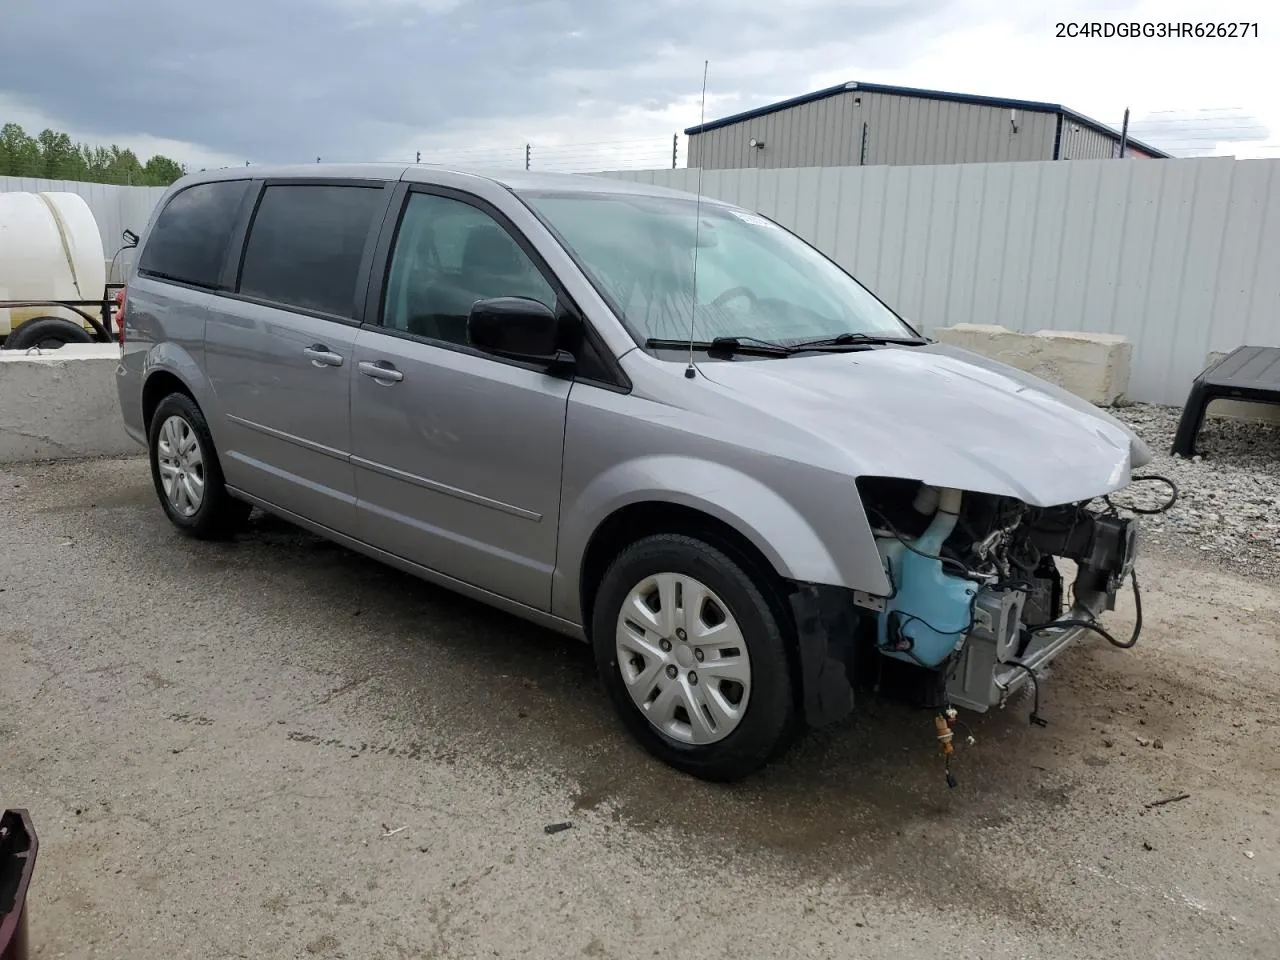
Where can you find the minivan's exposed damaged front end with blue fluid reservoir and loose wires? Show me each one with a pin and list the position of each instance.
(982, 596)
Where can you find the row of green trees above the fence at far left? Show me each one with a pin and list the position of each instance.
(53, 156)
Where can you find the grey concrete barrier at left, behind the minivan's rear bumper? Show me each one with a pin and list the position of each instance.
(61, 404)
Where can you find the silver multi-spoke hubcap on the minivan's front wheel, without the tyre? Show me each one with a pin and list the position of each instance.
(683, 659)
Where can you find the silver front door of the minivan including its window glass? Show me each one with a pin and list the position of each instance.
(458, 455)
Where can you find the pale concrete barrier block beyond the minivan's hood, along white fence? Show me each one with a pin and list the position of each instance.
(1091, 365)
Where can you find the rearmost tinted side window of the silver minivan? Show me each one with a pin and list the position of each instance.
(190, 239)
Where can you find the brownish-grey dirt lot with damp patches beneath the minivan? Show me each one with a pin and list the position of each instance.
(216, 739)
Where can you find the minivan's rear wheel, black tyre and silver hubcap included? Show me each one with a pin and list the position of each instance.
(188, 476)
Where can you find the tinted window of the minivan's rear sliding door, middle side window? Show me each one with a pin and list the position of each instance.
(307, 245)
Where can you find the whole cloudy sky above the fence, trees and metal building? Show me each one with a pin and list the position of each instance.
(592, 85)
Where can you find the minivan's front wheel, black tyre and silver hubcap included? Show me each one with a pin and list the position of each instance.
(694, 657)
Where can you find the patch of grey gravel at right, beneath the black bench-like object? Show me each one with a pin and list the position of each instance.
(1229, 496)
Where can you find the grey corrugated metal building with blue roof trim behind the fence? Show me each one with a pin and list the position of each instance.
(861, 125)
